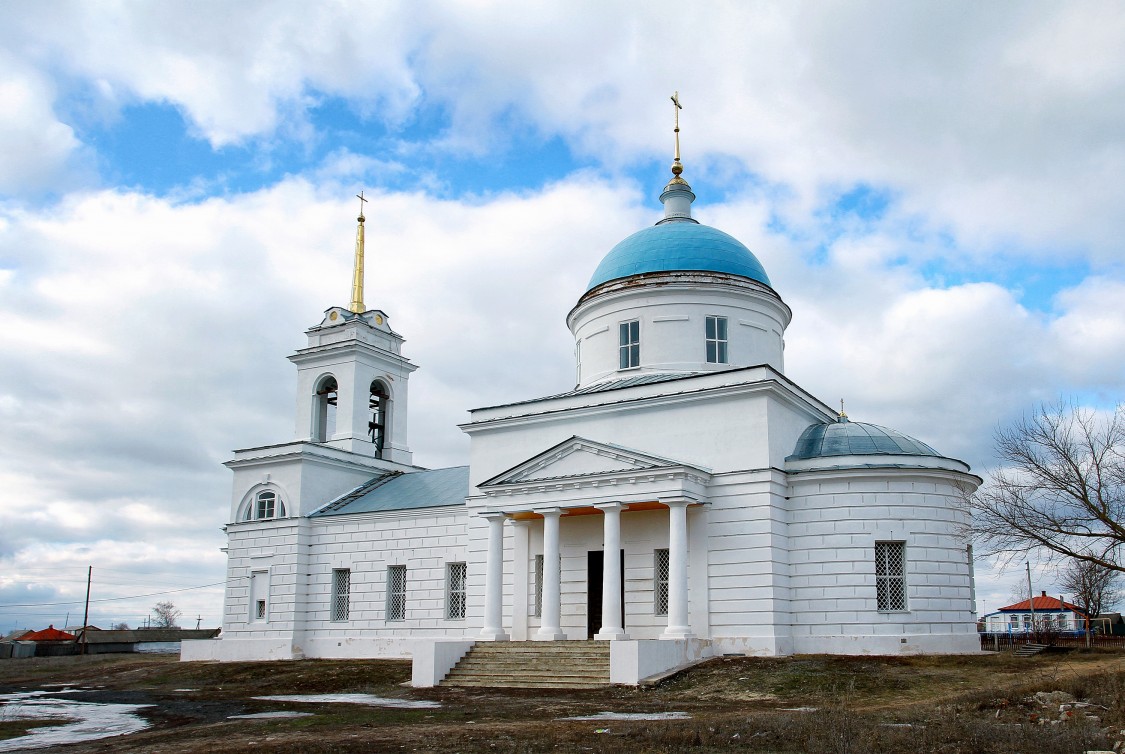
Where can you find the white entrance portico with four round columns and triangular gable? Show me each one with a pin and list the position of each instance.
(536, 492)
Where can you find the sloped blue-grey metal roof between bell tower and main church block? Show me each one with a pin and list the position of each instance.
(402, 492)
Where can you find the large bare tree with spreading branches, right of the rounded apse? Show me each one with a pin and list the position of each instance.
(1061, 490)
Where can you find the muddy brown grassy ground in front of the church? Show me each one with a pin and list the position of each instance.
(794, 705)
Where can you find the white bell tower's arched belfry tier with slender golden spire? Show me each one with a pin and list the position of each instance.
(353, 378)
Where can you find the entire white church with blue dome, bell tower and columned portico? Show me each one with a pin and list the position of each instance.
(687, 499)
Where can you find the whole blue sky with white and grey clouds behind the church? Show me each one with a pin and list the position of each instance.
(935, 188)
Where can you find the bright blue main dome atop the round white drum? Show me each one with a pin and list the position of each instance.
(682, 246)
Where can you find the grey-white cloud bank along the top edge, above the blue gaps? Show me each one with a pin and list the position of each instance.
(997, 123)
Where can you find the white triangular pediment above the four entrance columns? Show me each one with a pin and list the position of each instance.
(580, 457)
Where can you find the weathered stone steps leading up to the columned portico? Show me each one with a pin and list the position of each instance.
(534, 666)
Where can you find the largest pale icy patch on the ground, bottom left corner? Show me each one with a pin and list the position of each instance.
(86, 721)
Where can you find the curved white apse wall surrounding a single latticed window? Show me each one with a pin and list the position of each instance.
(836, 517)
